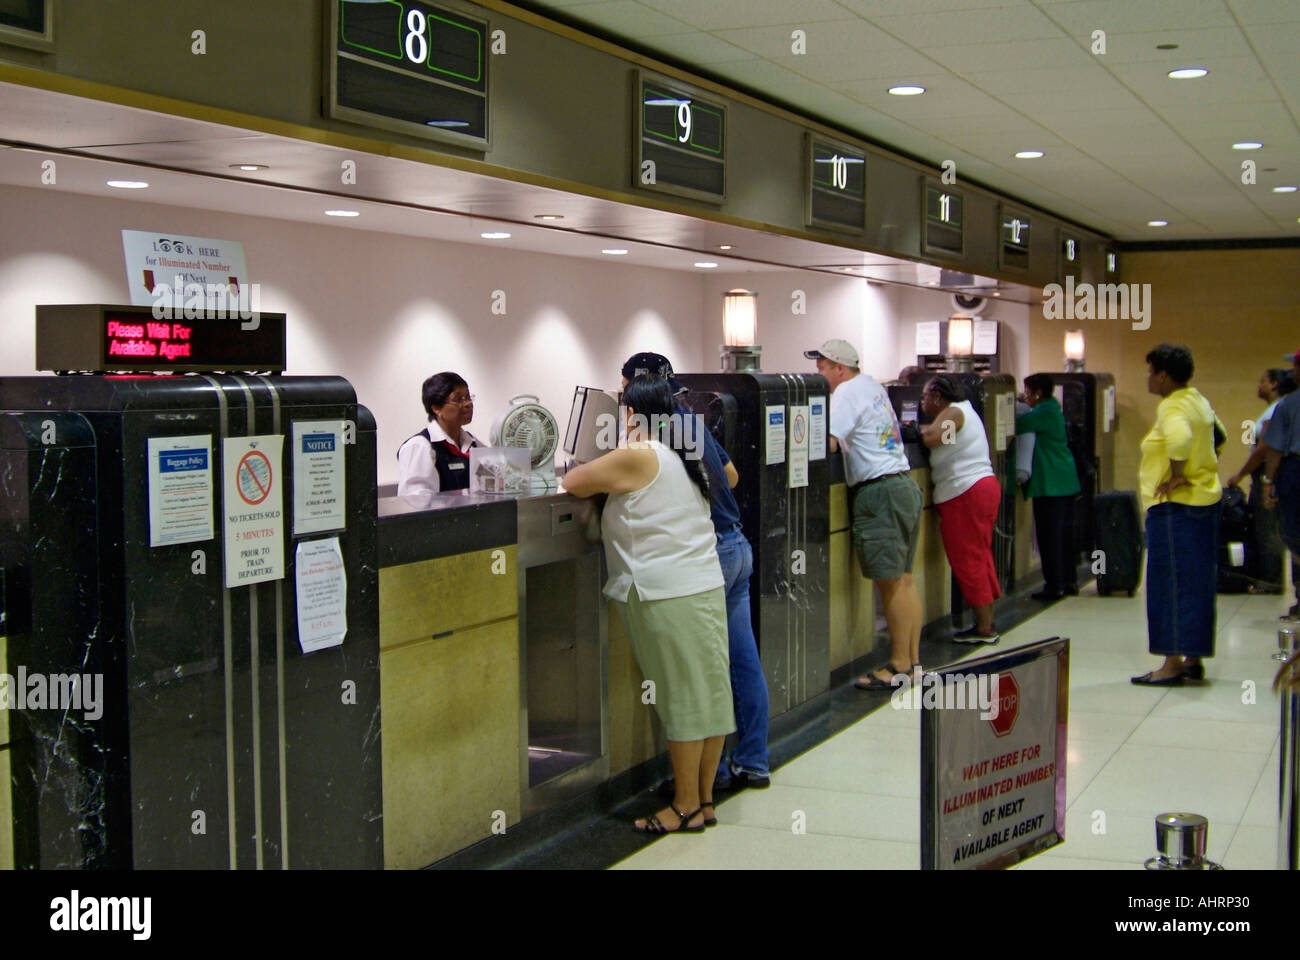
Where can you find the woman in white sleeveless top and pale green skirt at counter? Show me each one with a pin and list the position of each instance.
(669, 589)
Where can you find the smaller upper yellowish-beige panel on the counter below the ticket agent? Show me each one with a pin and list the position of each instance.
(419, 600)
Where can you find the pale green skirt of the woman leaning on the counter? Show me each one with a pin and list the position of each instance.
(682, 647)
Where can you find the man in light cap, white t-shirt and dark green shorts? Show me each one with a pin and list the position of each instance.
(885, 500)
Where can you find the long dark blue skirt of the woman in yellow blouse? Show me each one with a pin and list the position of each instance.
(1182, 580)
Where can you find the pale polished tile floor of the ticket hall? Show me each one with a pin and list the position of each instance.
(1133, 754)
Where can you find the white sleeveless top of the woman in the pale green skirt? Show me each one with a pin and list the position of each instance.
(661, 539)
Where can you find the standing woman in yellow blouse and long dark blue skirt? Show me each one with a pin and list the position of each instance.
(1181, 492)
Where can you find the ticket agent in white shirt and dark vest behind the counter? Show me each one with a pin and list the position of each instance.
(437, 459)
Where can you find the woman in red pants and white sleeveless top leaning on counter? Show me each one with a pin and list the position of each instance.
(968, 498)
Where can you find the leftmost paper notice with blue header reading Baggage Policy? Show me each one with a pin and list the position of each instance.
(180, 490)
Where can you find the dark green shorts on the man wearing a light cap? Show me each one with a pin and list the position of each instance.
(886, 526)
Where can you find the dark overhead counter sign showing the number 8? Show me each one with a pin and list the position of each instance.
(409, 67)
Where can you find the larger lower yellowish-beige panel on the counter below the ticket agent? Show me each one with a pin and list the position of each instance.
(452, 749)
